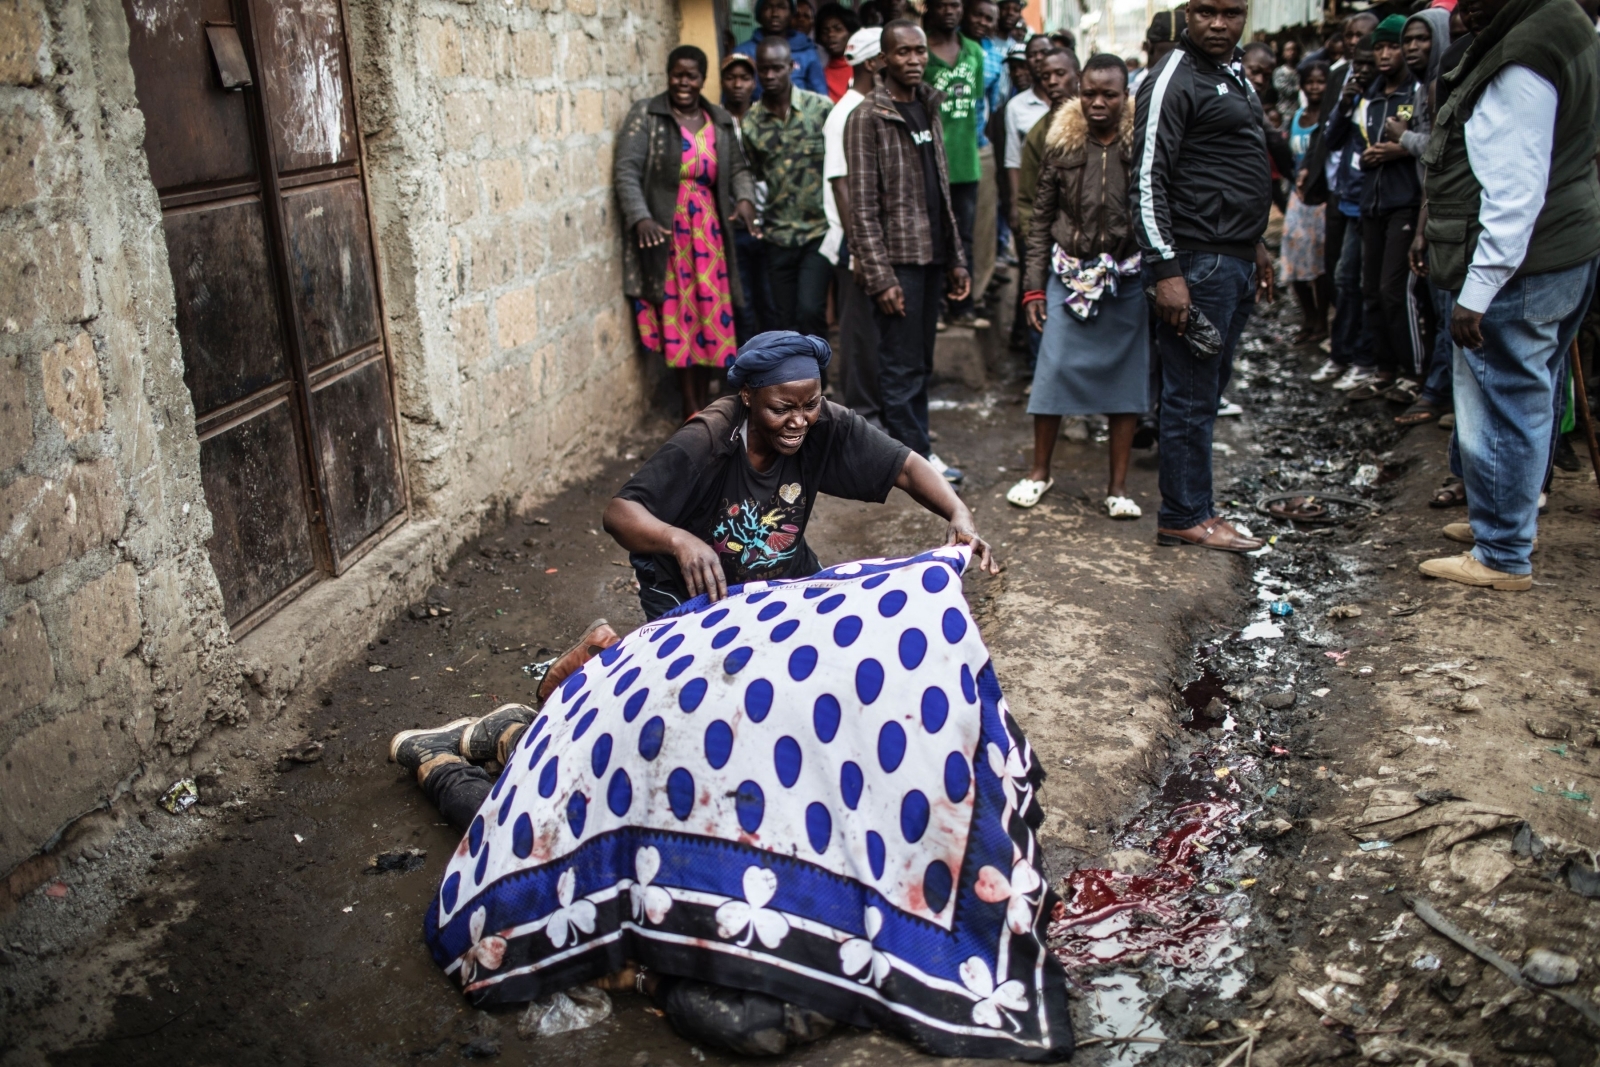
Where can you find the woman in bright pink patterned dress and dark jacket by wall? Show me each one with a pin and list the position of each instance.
(681, 180)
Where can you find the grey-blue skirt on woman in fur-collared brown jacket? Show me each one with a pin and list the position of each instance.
(1097, 367)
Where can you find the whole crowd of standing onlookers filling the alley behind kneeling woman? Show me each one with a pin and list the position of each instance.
(884, 170)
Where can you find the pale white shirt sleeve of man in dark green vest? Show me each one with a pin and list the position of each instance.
(1510, 142)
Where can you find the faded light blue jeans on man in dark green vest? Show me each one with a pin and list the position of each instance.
(1508, 401)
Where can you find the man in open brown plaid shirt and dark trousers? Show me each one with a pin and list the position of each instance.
(905, 242)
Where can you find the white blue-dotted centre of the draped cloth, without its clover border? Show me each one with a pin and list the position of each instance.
(814, 721)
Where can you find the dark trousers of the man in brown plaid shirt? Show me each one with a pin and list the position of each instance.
(906, 354)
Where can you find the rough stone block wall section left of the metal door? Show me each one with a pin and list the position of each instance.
(114, 657)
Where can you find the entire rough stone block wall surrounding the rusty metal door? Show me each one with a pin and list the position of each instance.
(489, 132)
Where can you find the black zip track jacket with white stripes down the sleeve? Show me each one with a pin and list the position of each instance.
(1201, 175)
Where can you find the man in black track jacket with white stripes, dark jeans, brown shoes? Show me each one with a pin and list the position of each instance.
(1202, 190)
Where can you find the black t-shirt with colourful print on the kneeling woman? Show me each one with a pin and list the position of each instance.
(702, 481)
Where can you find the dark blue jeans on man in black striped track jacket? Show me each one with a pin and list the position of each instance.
(1225, 289)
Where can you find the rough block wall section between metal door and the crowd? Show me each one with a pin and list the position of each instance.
(489, 132)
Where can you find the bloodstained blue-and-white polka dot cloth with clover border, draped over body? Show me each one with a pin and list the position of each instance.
(812, 788)
